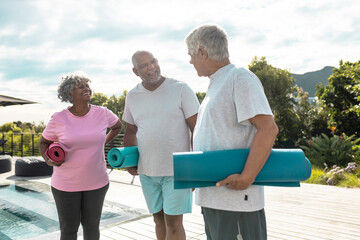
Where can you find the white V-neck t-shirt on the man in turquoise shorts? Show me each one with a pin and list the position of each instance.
(160, 117)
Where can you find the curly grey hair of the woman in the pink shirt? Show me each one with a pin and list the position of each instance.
(67, 85)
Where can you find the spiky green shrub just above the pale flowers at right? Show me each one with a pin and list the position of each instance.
(337, 150)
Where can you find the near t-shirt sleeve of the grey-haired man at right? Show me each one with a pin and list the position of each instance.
(249, 97)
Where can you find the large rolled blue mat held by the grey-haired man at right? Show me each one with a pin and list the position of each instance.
(284, 167)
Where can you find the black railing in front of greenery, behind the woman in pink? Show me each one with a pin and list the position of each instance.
(27, 144)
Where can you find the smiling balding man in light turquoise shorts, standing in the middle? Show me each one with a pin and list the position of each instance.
(160, 114)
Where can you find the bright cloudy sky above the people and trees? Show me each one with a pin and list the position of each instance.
(41, 41)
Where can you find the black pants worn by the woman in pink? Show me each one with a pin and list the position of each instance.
(83, 207)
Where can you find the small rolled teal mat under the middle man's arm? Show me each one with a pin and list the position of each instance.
(123, 157)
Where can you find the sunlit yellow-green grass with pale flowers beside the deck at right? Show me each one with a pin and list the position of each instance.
(336, 177)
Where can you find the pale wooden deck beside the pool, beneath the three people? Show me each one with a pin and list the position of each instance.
(311, 212)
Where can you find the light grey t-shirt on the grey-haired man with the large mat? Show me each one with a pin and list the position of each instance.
(234, 96)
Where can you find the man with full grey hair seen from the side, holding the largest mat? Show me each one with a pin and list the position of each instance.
(234, 114)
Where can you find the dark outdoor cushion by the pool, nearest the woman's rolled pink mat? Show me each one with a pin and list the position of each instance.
(31, 167)
